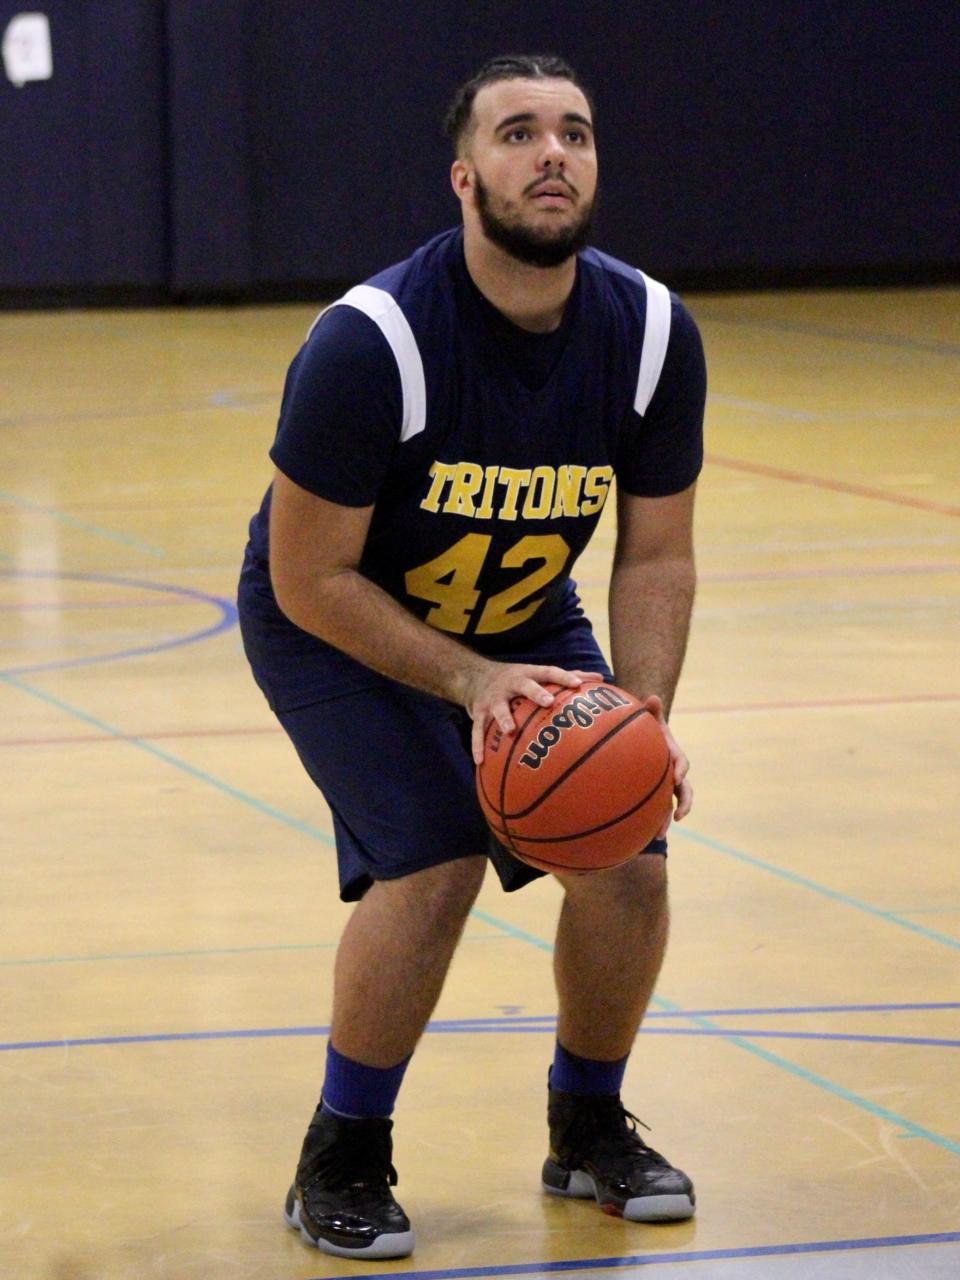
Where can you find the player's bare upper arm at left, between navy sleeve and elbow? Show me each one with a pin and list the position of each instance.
(312, 540)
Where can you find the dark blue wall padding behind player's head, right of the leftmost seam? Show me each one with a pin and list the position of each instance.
(735, 136)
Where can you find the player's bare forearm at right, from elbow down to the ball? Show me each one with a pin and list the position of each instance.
(651, 604)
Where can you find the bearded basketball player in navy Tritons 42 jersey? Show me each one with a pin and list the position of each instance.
(449, 436)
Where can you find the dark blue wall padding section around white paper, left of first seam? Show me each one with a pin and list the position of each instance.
(83, 156)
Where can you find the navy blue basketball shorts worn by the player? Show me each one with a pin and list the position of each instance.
(395, 765)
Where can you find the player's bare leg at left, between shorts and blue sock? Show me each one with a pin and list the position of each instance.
(394, 959)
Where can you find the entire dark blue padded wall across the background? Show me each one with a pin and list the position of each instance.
(243, 145)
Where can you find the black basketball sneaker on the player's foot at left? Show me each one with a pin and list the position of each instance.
(341, 1199)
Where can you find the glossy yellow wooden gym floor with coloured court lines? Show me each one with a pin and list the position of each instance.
(170, 911)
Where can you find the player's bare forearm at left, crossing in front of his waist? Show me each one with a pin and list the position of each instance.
(355, 615)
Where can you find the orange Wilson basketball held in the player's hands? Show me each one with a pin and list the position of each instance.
(582, 785)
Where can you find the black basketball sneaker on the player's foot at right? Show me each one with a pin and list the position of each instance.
(596, 1151)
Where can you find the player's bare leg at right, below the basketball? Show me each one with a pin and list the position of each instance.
(611, 940)
